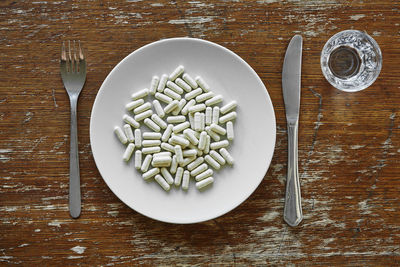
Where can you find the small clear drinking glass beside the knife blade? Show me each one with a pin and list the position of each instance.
(351, 60)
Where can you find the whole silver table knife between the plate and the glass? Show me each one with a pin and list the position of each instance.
(291, 76)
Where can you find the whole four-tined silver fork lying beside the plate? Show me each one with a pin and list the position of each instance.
(73, 73)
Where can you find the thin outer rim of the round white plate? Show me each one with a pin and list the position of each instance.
(265, 92)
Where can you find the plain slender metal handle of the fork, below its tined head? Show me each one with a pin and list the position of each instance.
(74, 177)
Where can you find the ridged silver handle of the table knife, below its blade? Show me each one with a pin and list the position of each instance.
(292, 213)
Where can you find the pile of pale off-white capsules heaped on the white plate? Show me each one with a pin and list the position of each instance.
(176, 148)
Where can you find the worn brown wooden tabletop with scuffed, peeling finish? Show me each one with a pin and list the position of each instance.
(349, 143)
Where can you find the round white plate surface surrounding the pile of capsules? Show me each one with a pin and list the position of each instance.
(252, 148)
